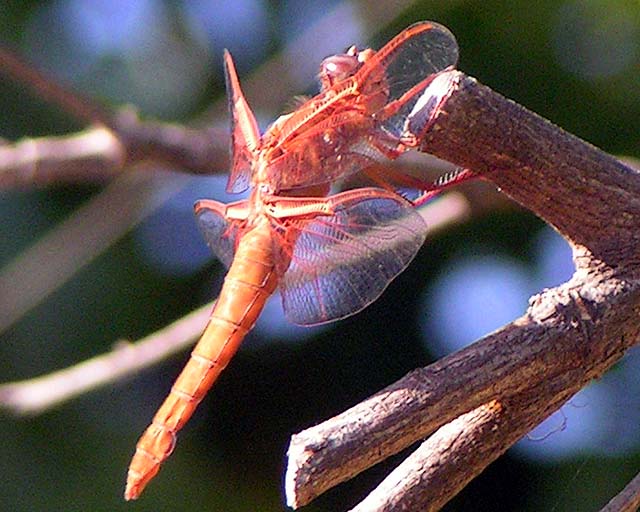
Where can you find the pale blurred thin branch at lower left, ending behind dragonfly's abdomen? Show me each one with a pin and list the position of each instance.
(34, 396)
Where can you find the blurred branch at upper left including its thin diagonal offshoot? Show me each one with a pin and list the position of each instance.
(98, 153)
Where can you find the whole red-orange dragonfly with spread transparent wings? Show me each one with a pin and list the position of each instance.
(330, 255)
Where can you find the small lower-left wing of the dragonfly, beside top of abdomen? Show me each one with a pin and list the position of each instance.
(219, 232)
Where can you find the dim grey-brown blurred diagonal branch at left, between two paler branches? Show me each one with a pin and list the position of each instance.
(43, 267)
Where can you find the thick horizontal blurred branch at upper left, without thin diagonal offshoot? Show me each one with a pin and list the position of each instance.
(98, 154)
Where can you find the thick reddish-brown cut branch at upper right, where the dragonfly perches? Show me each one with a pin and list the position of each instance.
(590, 197)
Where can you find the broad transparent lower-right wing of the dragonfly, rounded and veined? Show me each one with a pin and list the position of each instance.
(342, 262)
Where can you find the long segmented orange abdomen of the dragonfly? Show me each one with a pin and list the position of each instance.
(249, 283)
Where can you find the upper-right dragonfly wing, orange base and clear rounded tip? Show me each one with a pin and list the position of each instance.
(362, 118)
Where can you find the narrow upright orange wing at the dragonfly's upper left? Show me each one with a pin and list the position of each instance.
(245, 136)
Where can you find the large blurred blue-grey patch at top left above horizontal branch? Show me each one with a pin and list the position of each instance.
(127, 51)
